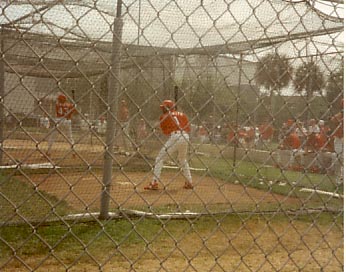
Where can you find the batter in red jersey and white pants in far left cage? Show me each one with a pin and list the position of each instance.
(64, 111)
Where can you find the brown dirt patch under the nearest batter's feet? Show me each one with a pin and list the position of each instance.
(82, 190)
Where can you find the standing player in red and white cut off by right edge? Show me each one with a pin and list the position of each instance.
(338, 134)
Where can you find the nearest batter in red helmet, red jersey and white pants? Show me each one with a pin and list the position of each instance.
(175, 125)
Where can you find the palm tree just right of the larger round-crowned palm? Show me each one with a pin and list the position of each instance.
(309, 79)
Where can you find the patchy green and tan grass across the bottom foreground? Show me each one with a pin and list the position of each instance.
(229, 241)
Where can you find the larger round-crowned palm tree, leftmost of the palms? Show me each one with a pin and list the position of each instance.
(273, 72)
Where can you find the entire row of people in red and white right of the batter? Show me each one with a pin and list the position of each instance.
(318, 142)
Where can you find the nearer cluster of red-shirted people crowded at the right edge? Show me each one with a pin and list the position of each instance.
(318, 138)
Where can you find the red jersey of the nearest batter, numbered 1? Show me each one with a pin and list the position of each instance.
(174, 121)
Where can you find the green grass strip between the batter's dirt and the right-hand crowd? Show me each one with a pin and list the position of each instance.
(273, 179)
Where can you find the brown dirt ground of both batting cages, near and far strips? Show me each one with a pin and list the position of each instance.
(82, 190)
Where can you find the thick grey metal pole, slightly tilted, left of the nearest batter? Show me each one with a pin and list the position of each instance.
(113, 90)
